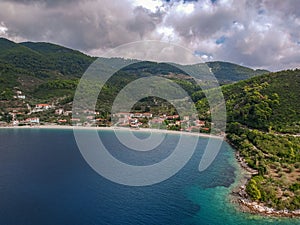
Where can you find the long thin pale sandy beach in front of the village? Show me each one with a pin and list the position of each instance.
(67, 127)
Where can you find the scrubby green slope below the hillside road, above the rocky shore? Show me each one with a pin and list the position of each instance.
(277, 160)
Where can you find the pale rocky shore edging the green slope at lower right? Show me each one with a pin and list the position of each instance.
(241, 198)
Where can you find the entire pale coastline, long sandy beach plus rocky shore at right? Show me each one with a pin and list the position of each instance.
(238, 196)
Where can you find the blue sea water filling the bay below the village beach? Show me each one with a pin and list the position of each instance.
(44, 180)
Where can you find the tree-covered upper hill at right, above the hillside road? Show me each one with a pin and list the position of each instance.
(269, 102)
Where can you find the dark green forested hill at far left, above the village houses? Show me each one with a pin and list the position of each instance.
(30, 66)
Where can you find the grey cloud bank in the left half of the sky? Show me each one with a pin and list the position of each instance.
(86, 25)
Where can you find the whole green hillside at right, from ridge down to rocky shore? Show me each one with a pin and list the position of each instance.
(264, 126)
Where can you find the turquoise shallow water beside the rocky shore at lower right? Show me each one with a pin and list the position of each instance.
(217, 208)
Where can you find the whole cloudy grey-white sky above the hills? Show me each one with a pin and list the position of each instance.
(255, 33)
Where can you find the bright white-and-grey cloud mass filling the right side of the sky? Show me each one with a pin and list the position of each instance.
(252, 33)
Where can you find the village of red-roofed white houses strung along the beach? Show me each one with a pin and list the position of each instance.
(22, 113)
